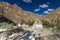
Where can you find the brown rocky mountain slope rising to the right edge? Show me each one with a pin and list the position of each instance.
(53, 17)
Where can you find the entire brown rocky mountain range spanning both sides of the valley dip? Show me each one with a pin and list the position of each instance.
(16, 14)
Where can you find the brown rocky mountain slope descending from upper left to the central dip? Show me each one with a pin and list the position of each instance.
(15, 13)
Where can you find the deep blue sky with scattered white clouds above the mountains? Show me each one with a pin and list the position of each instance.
(36, 6)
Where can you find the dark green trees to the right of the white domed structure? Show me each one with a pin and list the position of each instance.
(46, 24)
